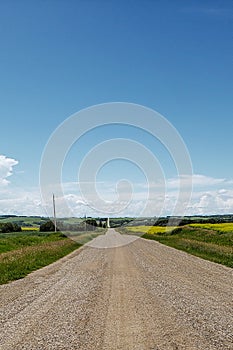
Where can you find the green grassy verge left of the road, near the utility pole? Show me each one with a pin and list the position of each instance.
(23, 253)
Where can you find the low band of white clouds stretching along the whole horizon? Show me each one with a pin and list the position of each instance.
(210, 196)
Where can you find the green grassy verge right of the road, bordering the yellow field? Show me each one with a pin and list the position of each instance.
(210, 244)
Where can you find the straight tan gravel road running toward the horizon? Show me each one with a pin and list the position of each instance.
(140, 296)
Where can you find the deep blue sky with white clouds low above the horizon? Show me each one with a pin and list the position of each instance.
(60, 57)
